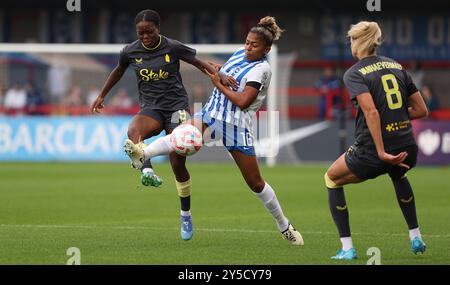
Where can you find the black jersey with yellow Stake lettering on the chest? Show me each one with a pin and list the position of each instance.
(158, 73)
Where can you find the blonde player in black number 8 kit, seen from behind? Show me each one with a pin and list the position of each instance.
(387, 101)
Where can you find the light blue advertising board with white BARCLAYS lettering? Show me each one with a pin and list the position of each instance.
(64, 138)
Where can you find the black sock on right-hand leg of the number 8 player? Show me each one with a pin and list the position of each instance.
(405, 199)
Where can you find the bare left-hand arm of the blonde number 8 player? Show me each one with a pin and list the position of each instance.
(372, 116)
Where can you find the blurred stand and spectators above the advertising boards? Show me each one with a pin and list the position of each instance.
(415, 34)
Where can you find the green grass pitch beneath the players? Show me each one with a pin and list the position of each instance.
(45, 208)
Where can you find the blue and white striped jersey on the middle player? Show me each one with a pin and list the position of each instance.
(221, 108)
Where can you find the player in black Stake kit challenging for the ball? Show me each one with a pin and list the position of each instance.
(162, 98)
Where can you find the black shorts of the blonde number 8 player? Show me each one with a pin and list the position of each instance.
(365, 164)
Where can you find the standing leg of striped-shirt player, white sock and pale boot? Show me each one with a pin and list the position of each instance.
(248, 166)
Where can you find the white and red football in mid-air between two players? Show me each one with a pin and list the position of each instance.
(186, 140)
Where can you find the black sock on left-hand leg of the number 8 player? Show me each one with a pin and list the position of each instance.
(339, 211)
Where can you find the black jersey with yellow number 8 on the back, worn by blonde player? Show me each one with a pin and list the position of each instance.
(390, 86)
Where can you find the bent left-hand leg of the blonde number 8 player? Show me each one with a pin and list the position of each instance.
(338, 175)
